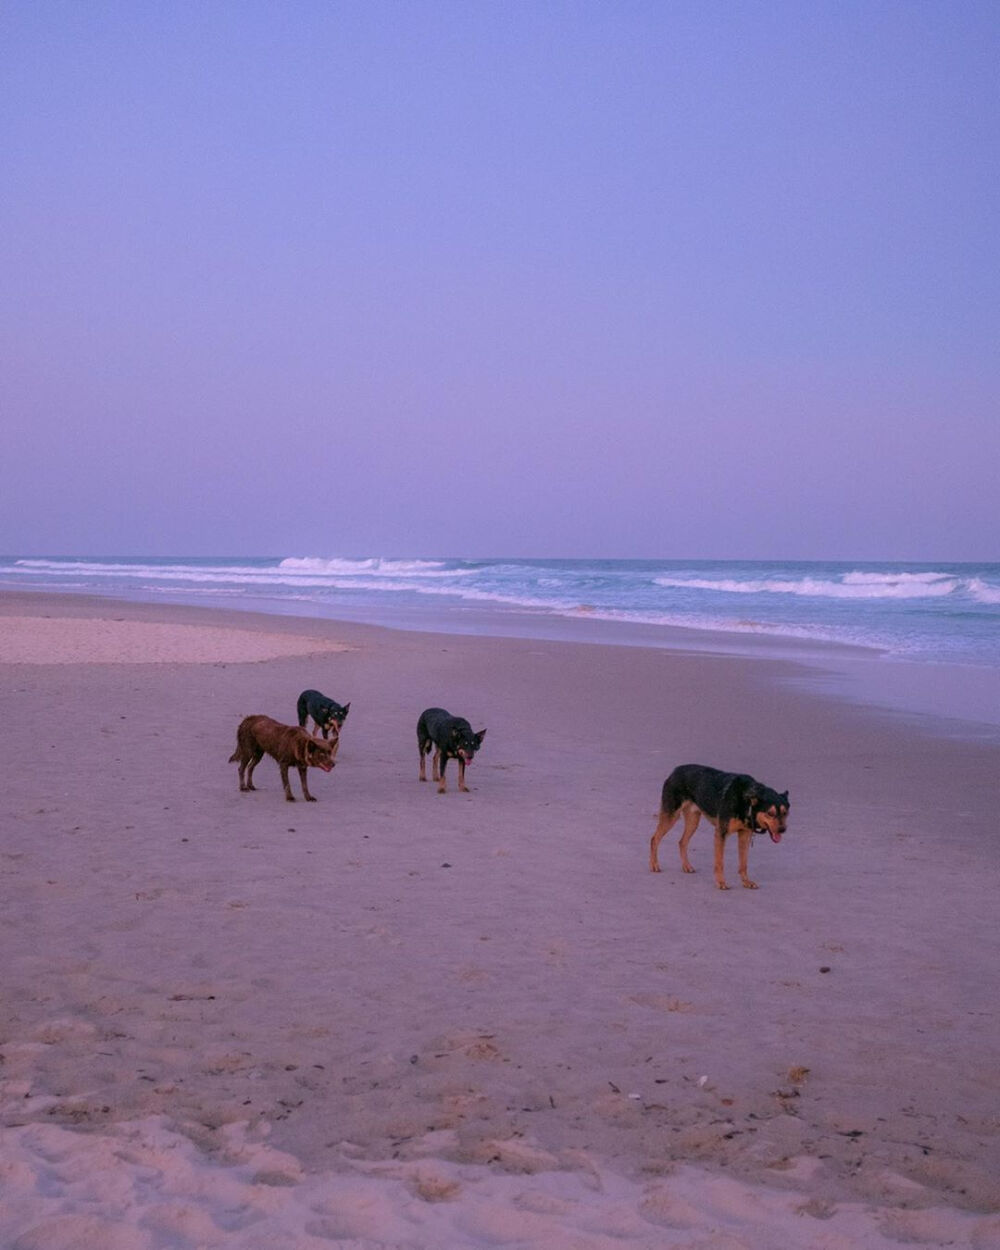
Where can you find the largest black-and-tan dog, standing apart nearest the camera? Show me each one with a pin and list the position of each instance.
(734, 802)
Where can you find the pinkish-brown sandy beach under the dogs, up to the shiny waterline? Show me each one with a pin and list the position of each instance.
(399, 1019)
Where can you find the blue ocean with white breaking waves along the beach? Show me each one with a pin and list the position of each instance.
(944, 613)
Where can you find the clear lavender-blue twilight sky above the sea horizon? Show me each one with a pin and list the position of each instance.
(627, 279)
